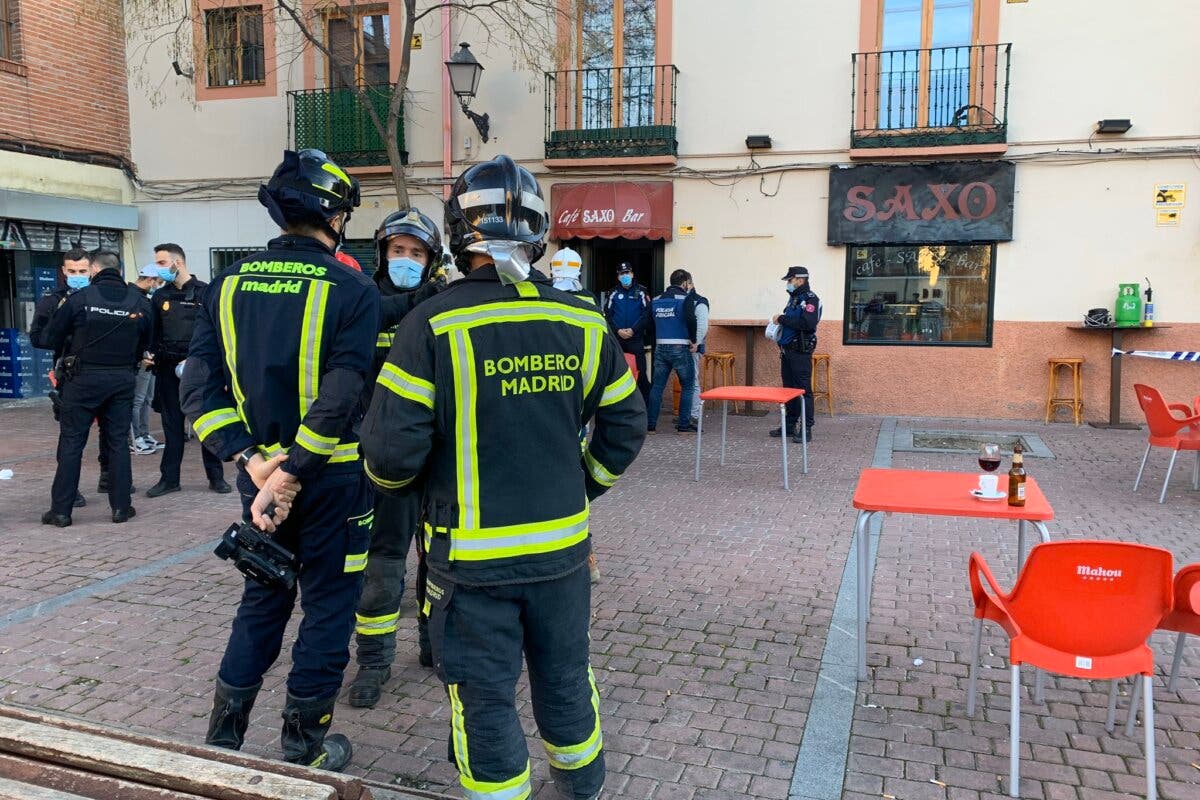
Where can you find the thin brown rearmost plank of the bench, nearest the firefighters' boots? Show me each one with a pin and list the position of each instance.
(349, 789)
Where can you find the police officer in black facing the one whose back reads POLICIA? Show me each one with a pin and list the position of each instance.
(176, 308)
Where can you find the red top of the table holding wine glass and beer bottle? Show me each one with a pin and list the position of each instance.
(945, 495)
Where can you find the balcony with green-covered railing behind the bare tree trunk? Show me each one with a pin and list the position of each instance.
(335, 121)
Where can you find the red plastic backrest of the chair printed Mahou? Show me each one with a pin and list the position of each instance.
(1091, 598)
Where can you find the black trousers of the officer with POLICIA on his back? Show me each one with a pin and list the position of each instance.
(105, 395)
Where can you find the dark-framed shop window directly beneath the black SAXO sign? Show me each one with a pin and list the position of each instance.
(920, 294)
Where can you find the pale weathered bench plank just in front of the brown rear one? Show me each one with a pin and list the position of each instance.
(153, 766)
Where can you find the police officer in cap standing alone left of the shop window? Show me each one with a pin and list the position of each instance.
(797, 341)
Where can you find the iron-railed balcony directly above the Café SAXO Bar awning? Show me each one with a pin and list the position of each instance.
(611, 113)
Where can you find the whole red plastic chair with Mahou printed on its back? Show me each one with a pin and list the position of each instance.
(1079, 609)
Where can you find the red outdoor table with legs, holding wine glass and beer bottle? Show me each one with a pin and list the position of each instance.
(939, 495)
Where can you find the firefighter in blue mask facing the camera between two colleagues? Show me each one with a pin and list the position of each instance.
(409, 270)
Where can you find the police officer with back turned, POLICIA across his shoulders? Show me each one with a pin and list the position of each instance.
(109, 328)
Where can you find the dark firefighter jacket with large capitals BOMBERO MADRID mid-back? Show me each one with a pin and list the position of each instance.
(484, 395)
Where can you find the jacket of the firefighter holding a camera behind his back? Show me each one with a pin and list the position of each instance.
(284, 344)
